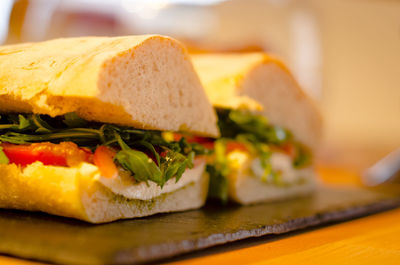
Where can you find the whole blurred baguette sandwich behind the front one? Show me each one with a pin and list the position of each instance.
(269, 128)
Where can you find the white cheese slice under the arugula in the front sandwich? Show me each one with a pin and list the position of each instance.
(125, 185)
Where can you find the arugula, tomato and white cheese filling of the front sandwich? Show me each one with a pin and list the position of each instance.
(127, 158)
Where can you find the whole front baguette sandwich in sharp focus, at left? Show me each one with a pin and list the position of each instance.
(84, 128)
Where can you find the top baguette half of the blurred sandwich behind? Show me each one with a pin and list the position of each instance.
(231, 79)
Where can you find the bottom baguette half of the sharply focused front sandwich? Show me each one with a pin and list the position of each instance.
(78, 193)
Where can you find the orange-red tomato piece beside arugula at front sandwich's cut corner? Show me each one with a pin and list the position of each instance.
(104, 159)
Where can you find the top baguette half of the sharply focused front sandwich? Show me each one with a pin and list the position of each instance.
(146, 82)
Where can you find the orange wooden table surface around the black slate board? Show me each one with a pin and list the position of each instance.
(370, 240)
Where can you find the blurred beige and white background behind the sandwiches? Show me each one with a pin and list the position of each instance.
(345, 53)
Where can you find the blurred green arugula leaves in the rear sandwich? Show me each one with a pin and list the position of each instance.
(258, 135)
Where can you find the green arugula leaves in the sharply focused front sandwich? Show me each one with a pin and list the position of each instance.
(134, 143)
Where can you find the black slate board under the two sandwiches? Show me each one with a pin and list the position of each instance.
(65, 241)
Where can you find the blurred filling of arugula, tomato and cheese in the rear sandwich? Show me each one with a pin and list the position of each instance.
(249, 145)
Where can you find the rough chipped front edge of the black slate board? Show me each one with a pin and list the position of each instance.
(166, 251)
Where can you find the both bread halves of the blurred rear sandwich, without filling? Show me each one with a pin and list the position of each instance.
(256, 81)
